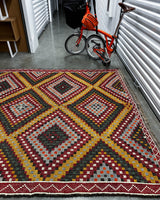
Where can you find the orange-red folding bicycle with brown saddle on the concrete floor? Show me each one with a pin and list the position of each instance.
(97, 46)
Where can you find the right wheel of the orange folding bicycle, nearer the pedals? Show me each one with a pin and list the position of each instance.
(95, 42)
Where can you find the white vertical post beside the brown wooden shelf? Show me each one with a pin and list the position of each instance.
(30, 25)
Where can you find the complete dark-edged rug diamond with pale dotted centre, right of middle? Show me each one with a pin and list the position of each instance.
(97, 110)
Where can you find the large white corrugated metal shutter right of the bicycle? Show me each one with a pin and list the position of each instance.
(139, 47)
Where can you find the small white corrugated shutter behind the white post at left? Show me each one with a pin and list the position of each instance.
(41, 14)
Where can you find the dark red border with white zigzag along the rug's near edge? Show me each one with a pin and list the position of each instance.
(80, 188)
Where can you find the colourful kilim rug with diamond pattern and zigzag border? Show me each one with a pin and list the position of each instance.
(73, 132)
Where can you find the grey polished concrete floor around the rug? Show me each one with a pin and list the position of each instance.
(52, 55)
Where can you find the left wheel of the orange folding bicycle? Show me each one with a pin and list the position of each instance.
(71, 45)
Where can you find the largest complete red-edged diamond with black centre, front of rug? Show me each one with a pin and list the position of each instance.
(69, 137)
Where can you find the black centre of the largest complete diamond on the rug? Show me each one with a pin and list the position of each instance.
(52, 138)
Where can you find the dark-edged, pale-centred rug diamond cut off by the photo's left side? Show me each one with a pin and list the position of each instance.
(17, 111)
